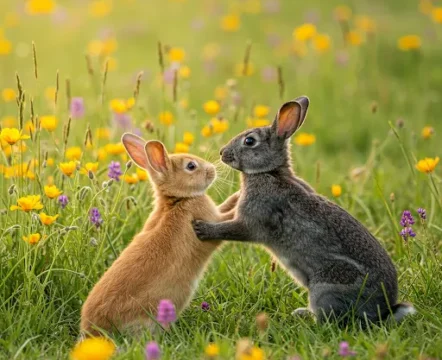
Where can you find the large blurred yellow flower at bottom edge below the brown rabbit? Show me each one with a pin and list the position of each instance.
(97, 348)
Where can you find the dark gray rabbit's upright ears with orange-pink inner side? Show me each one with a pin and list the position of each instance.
(290, 117)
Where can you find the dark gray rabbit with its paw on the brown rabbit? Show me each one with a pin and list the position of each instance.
(344, 267)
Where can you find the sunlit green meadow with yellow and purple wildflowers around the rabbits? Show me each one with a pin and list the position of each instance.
(76, 75)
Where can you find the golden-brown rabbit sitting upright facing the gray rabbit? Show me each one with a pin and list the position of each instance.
(166, 259)
